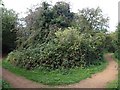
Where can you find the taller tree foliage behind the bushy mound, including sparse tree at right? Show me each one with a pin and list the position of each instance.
(44, 20)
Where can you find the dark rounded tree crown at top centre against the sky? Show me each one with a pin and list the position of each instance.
(62, 15)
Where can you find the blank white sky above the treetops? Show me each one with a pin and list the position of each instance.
(109, 7)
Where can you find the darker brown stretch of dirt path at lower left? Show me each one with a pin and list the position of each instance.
(18, 81)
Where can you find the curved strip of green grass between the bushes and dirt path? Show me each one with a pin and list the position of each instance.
(55, 77)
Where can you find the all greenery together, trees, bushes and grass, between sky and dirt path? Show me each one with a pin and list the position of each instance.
(53, 45)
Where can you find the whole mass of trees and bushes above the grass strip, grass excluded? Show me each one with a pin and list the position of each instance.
(56, 38)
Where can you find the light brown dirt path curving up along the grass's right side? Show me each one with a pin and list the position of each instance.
(99, 80)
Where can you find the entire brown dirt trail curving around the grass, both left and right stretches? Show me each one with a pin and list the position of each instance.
(98, 80)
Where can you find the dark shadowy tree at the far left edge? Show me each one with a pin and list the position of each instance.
(9, 20)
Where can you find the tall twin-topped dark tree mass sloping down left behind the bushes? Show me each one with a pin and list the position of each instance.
(44, 20)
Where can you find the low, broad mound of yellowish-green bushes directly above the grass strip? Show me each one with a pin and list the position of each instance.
(68, 49)
